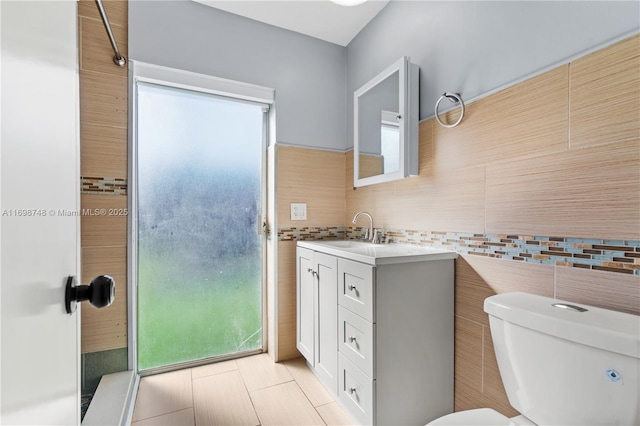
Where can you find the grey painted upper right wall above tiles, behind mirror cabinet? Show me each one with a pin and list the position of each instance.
(475, 47)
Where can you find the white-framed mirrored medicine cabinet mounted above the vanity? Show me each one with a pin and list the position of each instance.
(386, 125)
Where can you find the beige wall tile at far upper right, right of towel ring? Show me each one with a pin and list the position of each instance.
(605, 95)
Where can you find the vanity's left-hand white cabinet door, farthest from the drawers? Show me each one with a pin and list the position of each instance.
(305, 304)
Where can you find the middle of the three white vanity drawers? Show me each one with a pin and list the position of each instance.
(356, 340)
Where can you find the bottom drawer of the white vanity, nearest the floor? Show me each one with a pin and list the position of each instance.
(356, 392)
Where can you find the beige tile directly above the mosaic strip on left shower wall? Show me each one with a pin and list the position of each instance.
(104, 151)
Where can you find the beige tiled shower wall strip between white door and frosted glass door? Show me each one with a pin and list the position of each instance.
(103, 150)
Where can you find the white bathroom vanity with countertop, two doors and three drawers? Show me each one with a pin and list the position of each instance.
(394, 316)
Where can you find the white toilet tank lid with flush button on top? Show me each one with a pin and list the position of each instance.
(613, 331)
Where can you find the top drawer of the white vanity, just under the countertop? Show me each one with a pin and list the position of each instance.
(356, 289)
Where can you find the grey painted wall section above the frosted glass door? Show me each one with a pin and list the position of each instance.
(308, 75)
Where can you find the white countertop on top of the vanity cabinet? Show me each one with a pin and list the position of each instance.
(378, 254)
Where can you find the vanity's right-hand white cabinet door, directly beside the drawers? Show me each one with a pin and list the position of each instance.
(327, 320)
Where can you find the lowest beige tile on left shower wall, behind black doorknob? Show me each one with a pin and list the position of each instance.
(105, 328)
